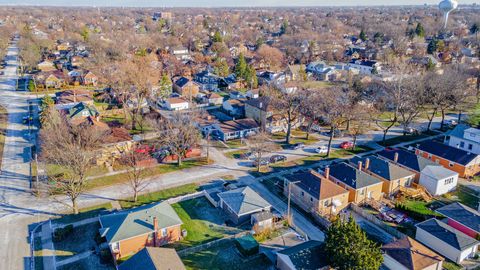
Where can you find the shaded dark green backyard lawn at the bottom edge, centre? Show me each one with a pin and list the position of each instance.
(225, 256)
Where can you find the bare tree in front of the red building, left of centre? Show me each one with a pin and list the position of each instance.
(178, 133)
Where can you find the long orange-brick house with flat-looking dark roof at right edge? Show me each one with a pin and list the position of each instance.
(466, 164)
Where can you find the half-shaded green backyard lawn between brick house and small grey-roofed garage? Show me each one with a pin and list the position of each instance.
(201, 220)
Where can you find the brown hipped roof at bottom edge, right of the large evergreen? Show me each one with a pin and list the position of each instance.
(411, 253)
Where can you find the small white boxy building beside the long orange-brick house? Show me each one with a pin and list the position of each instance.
(438, 180)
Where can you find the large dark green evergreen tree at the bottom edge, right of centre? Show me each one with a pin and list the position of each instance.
(348, 247)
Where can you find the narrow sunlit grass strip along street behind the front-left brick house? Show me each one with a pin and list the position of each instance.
(160, 195)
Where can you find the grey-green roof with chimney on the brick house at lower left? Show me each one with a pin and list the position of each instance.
(138, 221)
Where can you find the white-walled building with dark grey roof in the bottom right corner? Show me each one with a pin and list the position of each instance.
(447, 241)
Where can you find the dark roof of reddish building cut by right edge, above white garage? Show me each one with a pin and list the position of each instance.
(462, 214)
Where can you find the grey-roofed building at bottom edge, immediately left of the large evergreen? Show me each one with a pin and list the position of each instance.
(307, 255)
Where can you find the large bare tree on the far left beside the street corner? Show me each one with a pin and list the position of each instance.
(73, 148)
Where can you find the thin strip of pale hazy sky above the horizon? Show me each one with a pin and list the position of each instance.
(216, 3)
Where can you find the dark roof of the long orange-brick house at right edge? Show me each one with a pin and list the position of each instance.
(447, 152)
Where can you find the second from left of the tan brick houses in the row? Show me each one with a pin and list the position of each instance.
(362, 186)
